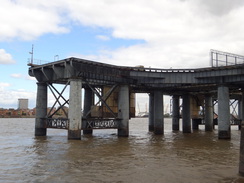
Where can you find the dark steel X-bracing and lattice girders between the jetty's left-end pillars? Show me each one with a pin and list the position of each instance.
(92, 123)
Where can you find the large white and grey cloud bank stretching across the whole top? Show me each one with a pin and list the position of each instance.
(176, 33)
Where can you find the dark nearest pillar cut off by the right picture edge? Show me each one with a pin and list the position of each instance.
(241, 163)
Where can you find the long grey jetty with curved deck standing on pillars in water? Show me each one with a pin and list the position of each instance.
(115, 88)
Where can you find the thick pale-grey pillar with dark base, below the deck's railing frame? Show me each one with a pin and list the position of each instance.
(223, 113)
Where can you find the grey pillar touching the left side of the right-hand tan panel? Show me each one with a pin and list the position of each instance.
(186, 115)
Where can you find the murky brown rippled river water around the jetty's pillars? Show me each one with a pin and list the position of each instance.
(103, 157)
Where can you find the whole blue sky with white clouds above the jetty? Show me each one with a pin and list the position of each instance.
(156, 33)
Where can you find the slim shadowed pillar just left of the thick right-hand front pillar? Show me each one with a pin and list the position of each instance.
(208, 113)
